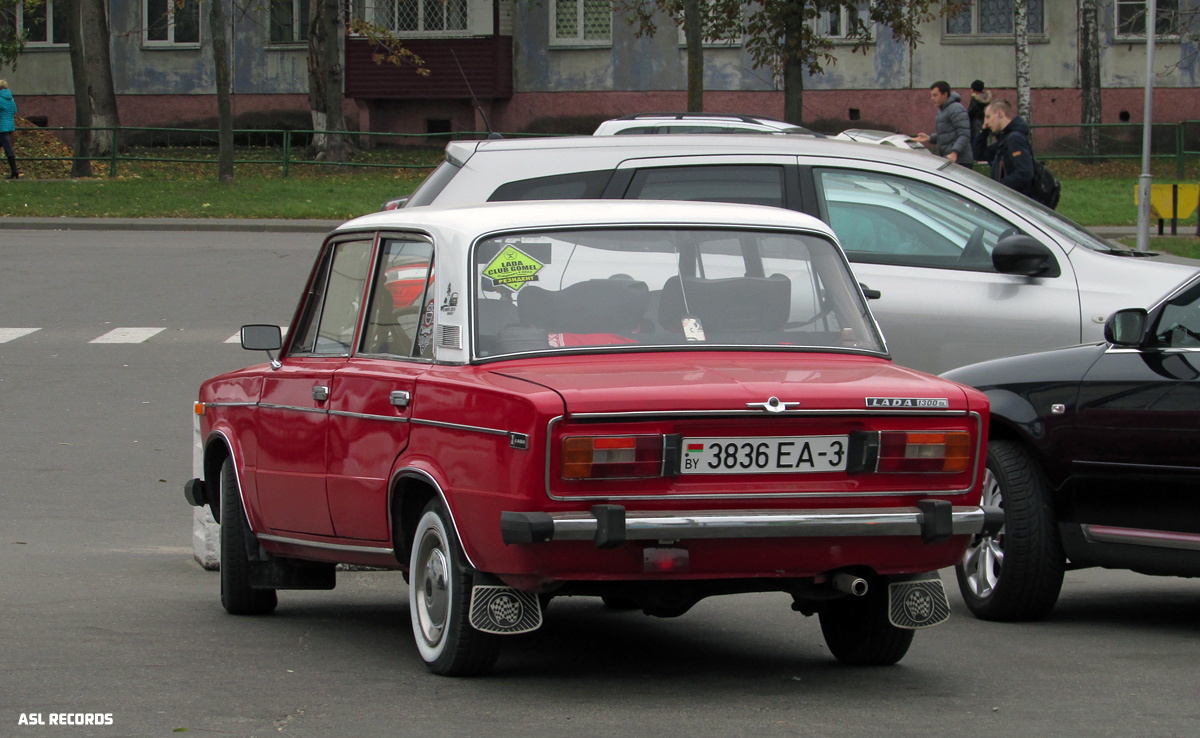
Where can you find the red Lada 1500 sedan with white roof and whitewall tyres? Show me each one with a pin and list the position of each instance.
(645, 403)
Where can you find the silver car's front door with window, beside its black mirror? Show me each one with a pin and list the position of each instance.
(927, 248)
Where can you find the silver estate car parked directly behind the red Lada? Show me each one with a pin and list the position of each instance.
(967, 269)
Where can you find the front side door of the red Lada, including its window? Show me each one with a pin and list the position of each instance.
(292, 422)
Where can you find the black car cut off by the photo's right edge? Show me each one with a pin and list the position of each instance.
(1094, 453)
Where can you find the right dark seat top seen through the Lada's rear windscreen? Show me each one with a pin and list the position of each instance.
(736, 304)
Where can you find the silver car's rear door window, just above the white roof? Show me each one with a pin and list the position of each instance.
(754, 185)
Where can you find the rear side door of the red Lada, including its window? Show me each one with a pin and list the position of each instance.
(373, 395)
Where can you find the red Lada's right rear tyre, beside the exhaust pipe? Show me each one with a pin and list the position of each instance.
(859, 633)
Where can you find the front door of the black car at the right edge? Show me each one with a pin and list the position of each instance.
(1139, 428)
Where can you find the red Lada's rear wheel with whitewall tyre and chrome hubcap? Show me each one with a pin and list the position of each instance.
(440, 602)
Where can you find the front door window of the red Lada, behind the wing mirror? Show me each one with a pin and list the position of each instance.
(333, 309)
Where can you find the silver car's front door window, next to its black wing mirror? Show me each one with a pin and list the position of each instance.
(893, 220)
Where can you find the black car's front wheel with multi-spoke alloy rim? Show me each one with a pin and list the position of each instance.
(1016, 574)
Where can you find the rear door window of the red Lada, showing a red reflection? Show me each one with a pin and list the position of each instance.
(394, 317)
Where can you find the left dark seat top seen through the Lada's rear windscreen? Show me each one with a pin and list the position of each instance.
(597, 307)
